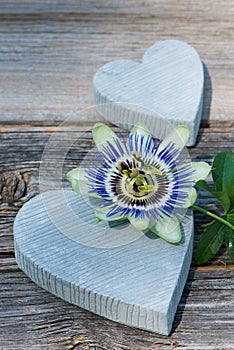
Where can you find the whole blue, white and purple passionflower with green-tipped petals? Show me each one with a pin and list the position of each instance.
(147, 181)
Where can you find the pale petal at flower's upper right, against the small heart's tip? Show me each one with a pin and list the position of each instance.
(179, 137)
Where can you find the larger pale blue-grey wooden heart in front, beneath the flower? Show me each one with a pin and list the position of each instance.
(110, 269)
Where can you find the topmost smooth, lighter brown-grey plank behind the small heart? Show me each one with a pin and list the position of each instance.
(50, 51)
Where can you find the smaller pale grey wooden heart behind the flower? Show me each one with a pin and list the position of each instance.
(163, 91)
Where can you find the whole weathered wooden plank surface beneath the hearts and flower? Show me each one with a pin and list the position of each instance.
(49, 52)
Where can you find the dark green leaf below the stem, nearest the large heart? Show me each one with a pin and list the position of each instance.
(210, 242)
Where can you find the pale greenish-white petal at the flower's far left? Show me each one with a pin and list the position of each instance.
(77, 178)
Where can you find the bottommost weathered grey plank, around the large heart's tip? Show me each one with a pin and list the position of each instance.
(205, 311)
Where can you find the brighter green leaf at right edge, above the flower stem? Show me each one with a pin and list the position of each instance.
(223, 173)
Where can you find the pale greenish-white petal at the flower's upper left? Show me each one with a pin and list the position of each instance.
(101, 134)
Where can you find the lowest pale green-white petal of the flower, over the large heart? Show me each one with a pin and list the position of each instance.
(168, 229)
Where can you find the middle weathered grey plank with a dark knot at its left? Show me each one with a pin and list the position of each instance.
(22, 149)
